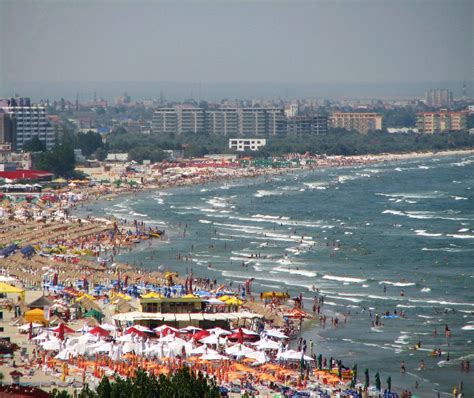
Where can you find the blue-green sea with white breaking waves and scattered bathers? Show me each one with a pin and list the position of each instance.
(395, 236)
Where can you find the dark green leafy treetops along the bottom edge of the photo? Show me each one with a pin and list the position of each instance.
(182, 384)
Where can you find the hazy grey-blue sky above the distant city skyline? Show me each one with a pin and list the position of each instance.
(237, 41)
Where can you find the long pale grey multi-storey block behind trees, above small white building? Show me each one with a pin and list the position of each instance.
(222, 121)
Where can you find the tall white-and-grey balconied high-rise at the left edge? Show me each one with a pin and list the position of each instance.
(29, 121)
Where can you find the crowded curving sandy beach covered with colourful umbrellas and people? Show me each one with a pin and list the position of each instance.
(73, 314)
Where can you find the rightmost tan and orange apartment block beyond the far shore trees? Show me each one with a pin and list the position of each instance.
(438, 122)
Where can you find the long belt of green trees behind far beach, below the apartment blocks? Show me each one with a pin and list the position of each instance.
(336, 142)
